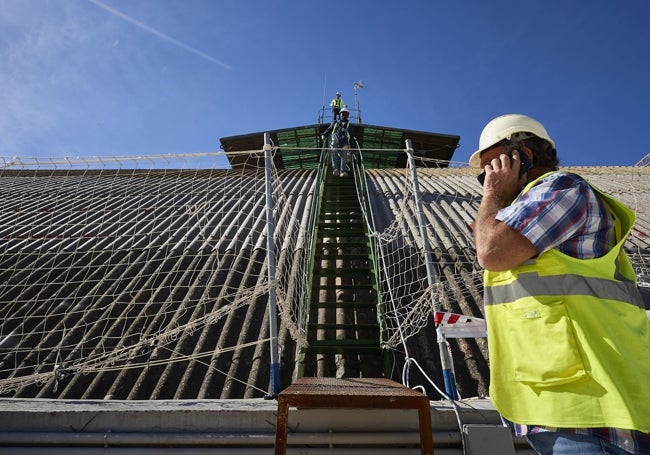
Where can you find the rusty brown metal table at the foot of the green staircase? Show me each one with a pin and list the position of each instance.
(361, 393)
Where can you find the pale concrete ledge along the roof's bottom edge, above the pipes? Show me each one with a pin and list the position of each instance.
(250, 416)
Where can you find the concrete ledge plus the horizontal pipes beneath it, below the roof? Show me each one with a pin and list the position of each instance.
(236, 426)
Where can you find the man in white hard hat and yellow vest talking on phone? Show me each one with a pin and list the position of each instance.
(568, 336)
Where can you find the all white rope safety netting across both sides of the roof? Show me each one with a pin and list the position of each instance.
(145, 278)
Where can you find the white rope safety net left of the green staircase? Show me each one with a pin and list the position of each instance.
(146, 269)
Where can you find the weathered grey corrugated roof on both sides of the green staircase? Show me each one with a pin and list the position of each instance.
(102, 233)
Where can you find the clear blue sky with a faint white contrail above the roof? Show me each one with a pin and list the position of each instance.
(136, 77)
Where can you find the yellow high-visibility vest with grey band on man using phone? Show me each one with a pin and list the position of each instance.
(569, 339)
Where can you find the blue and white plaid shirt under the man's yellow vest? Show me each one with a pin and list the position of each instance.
(563, 212)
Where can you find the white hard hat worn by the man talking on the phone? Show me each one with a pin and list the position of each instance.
(511, 127)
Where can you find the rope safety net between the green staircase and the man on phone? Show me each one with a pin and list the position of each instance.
(411, 291)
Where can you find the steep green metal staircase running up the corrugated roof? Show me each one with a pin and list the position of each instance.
(343, 327)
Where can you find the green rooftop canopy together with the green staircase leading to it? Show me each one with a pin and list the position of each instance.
(344, 319)
